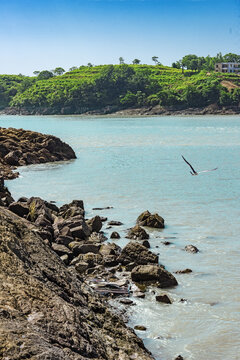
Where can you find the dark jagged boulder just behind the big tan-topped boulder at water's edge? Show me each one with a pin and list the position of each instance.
(136, 253)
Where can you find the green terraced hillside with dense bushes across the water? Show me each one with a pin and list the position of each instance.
(110, 88)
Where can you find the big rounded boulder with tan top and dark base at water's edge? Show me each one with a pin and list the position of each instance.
(153, 273)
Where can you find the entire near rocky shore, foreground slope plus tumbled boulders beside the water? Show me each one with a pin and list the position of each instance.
(58, 272)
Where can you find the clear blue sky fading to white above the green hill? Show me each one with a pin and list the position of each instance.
(37, 35)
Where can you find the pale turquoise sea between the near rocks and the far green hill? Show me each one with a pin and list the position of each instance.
(135, 164)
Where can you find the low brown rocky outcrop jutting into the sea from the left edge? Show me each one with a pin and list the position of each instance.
(21, 147)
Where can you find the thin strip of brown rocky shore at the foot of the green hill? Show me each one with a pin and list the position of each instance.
(213, 109)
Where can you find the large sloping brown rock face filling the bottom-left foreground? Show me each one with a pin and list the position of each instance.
(47, 312)
